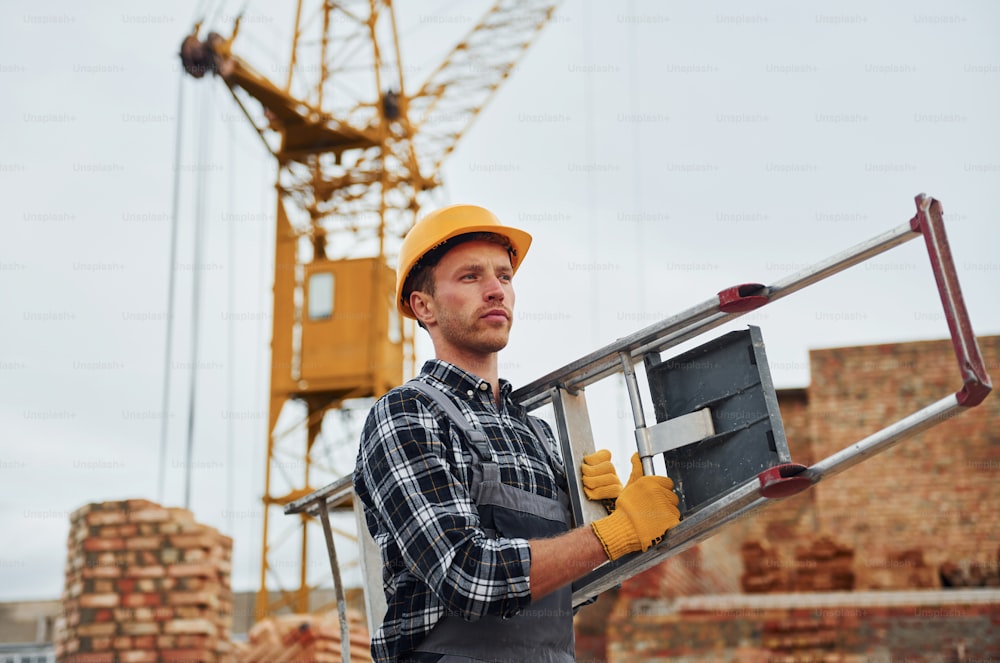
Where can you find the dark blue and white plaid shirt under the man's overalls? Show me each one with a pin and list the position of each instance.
(413, 476)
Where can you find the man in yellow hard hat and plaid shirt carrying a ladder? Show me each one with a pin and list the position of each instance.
(463, 493)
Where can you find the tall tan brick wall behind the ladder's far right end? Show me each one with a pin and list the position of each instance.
(937, 493)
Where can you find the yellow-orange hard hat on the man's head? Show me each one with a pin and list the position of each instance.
(443, 224)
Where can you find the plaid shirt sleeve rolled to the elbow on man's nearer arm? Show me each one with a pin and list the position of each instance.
(420, 506)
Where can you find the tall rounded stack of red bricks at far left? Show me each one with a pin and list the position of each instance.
(145, 584)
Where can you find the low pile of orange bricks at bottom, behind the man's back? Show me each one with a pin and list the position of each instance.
(298, 638)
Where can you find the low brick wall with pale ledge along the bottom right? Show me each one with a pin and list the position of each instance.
(871, 627)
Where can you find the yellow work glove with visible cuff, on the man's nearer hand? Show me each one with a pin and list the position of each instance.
(645, 510)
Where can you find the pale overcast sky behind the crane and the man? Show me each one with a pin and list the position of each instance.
(657, 151)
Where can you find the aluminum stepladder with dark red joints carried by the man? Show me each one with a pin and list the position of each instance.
(564, 390)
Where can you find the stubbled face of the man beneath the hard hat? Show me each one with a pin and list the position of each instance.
(473, 300)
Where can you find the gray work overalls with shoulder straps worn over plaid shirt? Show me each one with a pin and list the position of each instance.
(543, 632)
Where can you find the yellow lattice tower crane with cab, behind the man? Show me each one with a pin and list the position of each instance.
(356, 152)
